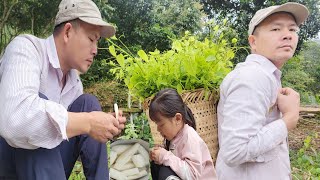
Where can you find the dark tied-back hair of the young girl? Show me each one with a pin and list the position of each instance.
(167, 103)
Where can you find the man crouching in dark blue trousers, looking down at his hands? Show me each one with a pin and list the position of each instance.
(46, 121)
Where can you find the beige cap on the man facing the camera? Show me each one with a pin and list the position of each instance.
(299, 11)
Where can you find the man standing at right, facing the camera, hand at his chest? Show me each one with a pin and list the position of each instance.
(254, 111)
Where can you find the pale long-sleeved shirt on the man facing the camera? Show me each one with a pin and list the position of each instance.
(252, 135)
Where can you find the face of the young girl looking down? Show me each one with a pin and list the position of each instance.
(169, 127)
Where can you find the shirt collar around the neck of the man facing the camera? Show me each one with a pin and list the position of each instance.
(265, 63)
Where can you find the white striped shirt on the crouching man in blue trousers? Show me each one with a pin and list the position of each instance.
(30, 66)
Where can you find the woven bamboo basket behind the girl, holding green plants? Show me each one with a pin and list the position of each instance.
(203, 105)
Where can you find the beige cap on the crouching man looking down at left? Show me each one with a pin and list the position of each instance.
(85, 10)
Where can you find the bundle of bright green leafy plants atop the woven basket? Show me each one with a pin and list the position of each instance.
(190, 64)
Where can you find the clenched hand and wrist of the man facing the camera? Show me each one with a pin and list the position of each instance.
(289, 104)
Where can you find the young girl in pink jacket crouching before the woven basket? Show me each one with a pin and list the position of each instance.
(185, 156)
